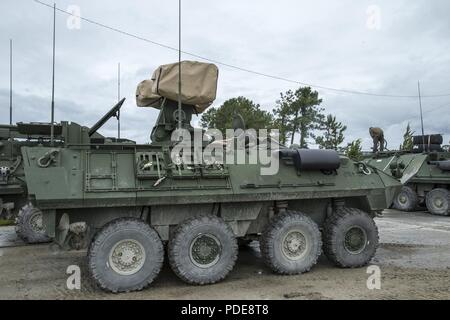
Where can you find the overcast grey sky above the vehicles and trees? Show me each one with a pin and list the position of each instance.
(374, 46)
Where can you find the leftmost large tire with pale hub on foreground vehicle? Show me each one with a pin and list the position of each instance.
(125, 255)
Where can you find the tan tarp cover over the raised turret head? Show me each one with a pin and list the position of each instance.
(198, 83)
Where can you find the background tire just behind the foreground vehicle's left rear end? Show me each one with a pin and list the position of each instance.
(29, 225)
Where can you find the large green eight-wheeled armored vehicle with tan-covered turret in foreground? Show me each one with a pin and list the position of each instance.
(128, 203)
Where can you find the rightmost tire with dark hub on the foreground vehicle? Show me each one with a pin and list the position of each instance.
(350, 238)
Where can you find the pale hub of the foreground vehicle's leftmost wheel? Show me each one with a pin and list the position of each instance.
(127, 257)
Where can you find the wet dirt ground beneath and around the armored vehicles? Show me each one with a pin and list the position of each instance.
(413, 256)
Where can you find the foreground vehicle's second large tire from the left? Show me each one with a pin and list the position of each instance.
(202, 250)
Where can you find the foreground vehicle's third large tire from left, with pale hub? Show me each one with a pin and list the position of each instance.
(291, 243)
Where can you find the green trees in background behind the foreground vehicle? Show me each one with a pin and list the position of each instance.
(297, 115)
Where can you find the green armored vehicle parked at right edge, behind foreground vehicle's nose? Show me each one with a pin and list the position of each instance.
(424, 173)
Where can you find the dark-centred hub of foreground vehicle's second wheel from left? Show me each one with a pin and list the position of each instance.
(205, 250)
